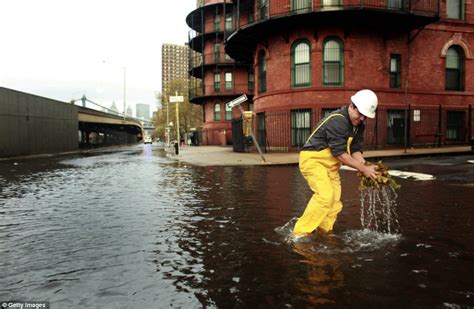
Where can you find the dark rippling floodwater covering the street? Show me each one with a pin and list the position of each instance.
(132, 228)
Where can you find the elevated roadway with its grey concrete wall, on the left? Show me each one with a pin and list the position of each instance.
(30, 124)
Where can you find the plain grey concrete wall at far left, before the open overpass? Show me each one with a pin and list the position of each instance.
(30, 124)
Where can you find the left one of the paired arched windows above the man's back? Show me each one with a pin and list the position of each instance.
(301, 64)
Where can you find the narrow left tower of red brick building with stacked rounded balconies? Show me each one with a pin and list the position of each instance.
(217, 78)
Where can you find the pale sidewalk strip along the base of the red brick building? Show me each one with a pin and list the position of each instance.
(224, 156)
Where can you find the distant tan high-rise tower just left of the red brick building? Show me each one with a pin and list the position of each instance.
(174, 64)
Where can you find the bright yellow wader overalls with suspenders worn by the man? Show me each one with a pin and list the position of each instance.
(321, 171)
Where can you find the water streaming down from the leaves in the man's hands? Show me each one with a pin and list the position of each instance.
(379, 209)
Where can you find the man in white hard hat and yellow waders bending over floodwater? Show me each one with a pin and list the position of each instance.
(336, 140)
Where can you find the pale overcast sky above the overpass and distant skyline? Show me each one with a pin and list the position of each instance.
(62, 49)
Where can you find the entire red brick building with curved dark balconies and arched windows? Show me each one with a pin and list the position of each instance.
(309, 56)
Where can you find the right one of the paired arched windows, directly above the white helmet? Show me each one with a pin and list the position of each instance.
(333, 62)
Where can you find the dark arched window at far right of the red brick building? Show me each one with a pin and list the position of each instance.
(455, 69)
